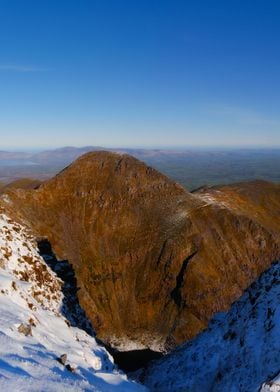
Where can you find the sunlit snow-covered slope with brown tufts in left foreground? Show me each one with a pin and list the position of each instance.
(34, 334)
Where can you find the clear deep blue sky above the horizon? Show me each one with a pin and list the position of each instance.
(139, 73)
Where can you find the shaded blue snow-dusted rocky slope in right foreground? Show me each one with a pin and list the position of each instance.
(237, 353)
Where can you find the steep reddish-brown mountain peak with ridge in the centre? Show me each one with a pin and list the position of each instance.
(153, 261)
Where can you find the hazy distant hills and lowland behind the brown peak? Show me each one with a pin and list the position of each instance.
(192, 168)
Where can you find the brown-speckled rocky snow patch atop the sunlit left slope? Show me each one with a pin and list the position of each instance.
(35, 282)
